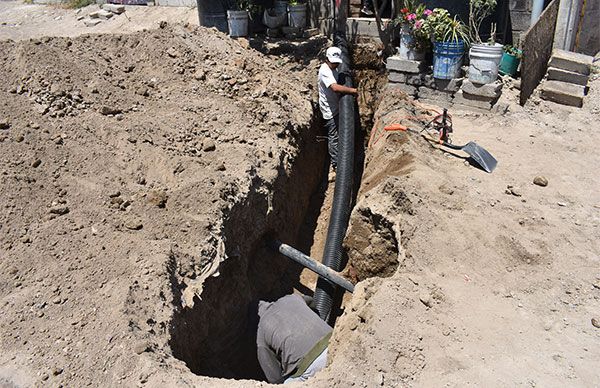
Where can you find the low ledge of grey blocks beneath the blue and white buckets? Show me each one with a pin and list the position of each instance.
(415, 79)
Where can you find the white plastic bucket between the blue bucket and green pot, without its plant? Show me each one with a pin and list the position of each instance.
(483, 63)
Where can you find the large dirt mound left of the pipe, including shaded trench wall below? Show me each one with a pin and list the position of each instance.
(131, 166)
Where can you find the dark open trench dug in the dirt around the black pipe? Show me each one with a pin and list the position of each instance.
(216, 337)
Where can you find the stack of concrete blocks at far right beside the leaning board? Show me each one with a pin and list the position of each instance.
(567, 78)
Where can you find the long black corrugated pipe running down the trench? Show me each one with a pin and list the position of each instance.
(342, 195)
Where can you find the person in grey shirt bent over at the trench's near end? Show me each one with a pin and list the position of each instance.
(291, 340)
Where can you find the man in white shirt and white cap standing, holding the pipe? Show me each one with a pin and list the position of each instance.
(329, 100)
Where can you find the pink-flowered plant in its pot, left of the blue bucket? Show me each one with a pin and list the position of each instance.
(414, 40)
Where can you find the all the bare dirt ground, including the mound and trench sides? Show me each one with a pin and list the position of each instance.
(135, 167)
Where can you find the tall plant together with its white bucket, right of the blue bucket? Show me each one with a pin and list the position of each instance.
(484, 58)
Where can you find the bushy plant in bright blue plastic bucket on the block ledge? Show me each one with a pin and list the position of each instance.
(449, 36)
